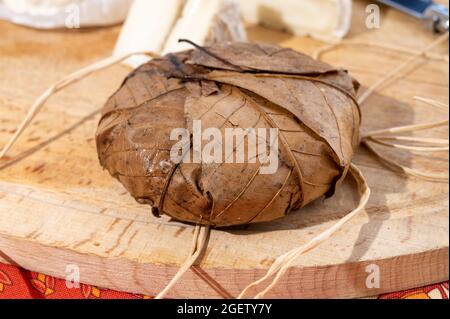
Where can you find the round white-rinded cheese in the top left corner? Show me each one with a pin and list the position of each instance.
(47, 14)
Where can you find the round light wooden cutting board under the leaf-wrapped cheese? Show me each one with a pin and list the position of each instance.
(58, 208)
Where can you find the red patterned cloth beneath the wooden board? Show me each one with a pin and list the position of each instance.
(17, 283)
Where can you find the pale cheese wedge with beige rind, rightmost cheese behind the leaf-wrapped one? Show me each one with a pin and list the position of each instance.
(326, 20)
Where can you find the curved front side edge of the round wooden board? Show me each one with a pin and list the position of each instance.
(349, 280)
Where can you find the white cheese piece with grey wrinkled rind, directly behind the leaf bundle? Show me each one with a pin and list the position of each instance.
(206, 22)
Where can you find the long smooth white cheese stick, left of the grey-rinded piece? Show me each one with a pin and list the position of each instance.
(147, 28)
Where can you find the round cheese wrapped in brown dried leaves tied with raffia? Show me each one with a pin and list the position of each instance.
(244, 85)
